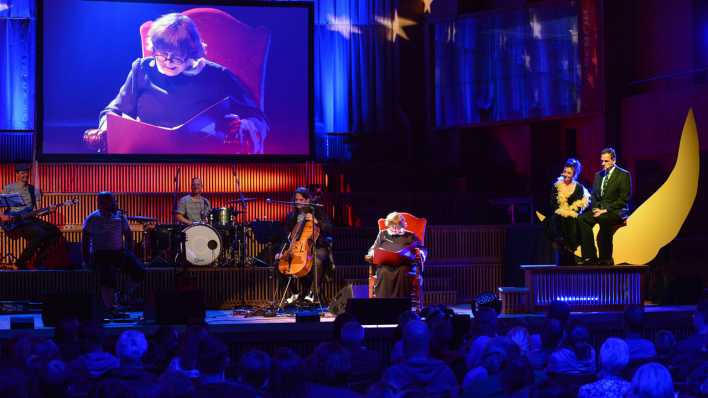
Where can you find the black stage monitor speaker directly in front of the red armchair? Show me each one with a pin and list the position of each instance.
(378, 311)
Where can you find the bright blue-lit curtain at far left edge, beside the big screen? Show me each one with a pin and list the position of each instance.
(17, 64)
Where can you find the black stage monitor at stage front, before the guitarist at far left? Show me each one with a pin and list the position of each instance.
(56, 307)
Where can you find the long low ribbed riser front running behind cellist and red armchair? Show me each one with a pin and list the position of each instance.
(446, 283)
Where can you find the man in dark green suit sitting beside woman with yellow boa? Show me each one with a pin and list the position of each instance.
(609, 208)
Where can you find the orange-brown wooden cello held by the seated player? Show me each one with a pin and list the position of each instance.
(298, 255)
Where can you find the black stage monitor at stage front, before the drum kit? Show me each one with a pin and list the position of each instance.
(183, 307)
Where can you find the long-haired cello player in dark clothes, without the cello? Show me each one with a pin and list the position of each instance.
(322, 259)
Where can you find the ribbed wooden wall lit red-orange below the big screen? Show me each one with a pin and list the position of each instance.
(146, 189)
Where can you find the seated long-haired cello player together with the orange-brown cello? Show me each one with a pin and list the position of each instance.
(296, 223)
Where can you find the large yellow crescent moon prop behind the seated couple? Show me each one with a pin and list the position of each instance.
(659, 219)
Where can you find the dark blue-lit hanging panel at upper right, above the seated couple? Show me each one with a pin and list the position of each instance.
(508, 65)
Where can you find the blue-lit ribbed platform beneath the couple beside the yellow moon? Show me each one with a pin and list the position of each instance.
(585, 288)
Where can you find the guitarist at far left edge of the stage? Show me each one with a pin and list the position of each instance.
(23, 222)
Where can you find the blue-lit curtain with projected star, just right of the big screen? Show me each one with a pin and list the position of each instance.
(354, 86)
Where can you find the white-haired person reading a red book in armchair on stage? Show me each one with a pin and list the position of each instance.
(401, 248)
